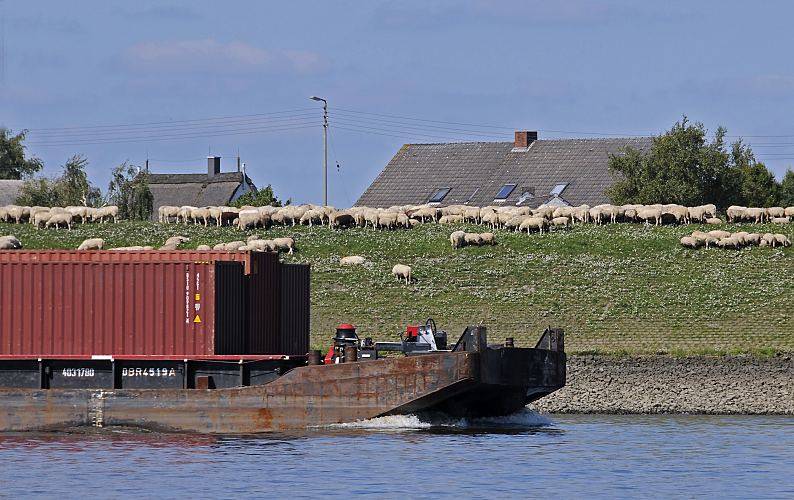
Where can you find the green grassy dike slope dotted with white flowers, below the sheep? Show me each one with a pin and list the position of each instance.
(617, 288)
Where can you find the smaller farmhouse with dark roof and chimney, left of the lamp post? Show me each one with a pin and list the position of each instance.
(215, 188)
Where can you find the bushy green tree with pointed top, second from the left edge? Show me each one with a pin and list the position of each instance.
(72, 188)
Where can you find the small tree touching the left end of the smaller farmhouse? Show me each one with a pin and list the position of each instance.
(129, 190)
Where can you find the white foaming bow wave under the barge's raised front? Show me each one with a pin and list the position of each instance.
(524, 418)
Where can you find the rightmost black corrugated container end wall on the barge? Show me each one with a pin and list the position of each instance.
(295, 308)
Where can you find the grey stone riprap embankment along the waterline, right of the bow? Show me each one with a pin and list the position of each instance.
(665, 384)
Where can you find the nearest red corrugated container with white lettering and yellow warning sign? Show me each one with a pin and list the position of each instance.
(134, 308)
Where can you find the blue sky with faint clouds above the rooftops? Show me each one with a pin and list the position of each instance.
(176, 81)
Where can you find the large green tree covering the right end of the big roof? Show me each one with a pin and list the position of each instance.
(682, 167)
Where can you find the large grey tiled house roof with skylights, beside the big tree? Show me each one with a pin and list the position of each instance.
(476, 172)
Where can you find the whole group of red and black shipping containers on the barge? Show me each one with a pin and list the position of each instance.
(106, 303)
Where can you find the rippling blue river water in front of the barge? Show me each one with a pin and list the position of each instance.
(525, 455)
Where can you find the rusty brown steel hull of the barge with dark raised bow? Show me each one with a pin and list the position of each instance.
(491, 382)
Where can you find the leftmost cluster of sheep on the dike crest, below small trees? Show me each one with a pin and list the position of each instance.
(58, 216)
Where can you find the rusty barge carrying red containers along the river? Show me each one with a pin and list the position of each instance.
(169, 373)
